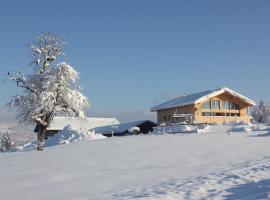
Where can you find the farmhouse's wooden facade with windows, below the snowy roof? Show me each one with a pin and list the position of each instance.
(222, 108)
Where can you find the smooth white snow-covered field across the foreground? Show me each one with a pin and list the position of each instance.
(225, 162)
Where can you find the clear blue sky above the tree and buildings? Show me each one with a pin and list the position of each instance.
(132, 55)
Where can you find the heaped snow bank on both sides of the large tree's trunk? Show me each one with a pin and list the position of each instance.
(66, 136)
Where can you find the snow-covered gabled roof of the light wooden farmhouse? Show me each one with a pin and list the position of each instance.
(200, 97)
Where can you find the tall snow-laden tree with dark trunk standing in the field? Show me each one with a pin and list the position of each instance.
(51, 89)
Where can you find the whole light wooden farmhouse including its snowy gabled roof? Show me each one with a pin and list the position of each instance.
(212, 106)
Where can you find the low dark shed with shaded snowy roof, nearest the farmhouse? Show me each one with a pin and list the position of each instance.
(144, 127)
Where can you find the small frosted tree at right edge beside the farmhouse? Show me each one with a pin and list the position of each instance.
(261, 113)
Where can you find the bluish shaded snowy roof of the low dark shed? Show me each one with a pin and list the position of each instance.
(120, 128)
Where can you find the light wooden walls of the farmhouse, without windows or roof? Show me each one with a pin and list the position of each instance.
(197, 110)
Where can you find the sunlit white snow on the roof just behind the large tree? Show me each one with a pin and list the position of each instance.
(77, 123)
